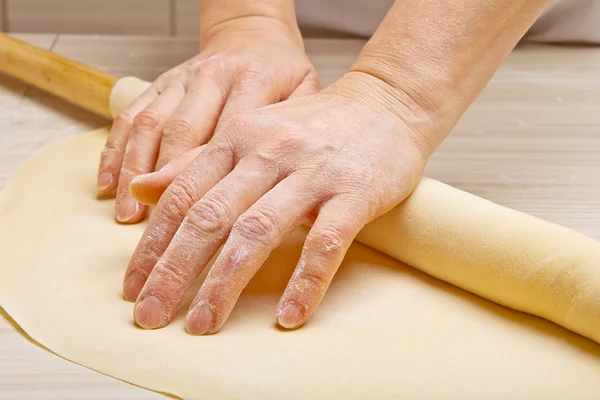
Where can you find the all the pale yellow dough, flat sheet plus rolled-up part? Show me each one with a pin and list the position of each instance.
(384, 330)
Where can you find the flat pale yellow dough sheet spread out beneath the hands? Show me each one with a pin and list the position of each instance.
(383, 331)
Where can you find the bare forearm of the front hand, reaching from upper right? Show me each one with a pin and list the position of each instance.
(430, 59)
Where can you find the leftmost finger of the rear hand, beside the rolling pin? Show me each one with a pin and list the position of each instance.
(112, 154)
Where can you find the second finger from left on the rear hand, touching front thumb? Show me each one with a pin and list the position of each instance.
(142, 149)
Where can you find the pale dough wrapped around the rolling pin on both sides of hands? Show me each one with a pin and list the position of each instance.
(500, 254)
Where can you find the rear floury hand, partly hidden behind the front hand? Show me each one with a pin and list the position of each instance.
(240, 68)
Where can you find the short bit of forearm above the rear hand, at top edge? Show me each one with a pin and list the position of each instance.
(259, 15)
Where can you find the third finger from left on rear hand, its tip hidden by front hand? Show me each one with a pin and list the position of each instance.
(193, 122)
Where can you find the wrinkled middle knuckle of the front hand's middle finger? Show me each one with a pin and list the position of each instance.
(209, 215)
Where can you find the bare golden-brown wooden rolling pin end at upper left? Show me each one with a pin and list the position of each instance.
(72, 81)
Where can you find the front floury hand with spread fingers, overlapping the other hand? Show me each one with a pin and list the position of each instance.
(333, 160)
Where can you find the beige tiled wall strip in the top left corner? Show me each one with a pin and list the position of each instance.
(130, 17)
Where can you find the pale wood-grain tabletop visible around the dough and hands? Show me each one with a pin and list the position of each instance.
(530, 142)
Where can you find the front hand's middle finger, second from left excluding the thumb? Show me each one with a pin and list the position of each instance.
(202, 232)
